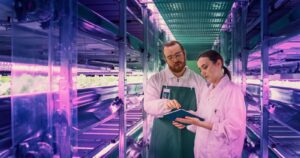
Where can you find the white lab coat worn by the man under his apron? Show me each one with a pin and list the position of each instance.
(154, 106)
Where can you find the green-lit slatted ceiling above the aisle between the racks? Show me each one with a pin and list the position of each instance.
(190, 21)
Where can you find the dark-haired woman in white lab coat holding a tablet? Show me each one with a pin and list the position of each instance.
(223, 131)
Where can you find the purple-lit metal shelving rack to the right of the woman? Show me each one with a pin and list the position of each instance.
(266, 65)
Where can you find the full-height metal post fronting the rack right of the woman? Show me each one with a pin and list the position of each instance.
(264, 93)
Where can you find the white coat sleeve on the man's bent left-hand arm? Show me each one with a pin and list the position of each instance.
(153, 105)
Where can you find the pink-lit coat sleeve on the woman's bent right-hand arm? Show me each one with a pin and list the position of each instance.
(233, 125)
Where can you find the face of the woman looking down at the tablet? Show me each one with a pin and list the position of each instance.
(210, 71)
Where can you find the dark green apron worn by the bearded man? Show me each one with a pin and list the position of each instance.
(167, 141)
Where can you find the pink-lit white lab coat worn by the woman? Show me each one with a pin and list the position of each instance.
(223, 106)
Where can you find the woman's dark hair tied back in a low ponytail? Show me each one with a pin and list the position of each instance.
(214, 56)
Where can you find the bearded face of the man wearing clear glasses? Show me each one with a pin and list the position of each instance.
(175, 58)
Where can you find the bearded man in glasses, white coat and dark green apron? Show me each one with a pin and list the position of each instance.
(174, 87)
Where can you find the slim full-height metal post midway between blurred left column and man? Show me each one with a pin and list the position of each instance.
(122, 75)
